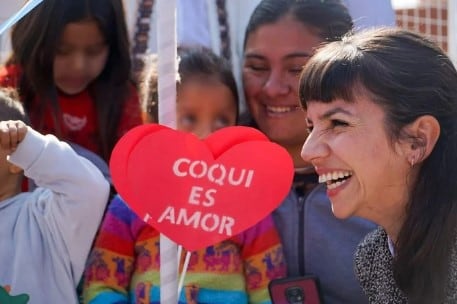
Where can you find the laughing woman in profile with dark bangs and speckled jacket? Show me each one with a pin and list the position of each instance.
(390, 129)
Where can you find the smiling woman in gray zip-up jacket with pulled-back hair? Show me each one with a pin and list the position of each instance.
(281, 37)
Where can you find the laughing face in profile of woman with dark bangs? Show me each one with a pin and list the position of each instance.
(360, 126)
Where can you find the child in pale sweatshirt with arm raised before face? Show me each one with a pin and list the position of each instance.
(47, 233)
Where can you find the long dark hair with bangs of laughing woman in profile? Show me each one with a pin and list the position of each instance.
(408, 76)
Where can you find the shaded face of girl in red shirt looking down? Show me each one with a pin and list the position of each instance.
(81, 56)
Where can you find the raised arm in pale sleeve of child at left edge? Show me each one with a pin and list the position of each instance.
(73, 192)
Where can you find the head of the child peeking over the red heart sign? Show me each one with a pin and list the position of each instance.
(206, 91)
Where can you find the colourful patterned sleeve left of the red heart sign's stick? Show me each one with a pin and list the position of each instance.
(110, 266)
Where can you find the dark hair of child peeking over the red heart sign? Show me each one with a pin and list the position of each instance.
(195, 63)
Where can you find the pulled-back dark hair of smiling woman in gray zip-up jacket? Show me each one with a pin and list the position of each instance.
(330, 18)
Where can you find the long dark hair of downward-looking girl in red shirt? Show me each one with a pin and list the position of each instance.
(35, 39)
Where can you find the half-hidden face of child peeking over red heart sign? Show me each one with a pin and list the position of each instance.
(202, 108)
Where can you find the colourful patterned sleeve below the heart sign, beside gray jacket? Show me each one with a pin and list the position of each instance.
(263, 259)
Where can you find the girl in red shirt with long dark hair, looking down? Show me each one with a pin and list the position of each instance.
(71, 65)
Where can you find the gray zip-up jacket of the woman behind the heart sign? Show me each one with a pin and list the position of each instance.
(316, 242)
